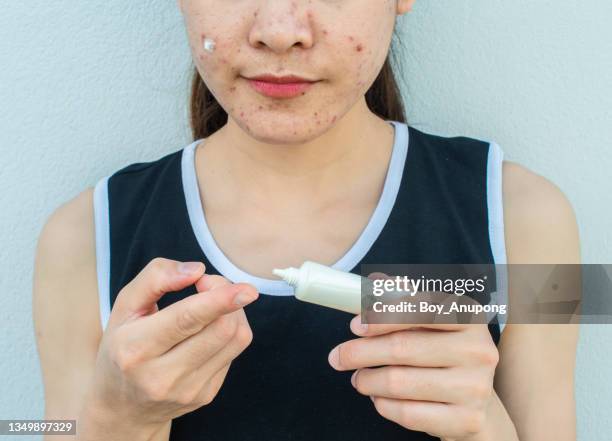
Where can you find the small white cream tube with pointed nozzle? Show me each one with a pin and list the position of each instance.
(325, 286)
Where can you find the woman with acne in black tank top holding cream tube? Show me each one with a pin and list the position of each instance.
(324, 168)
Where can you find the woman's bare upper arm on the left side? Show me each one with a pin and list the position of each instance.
(65, 305)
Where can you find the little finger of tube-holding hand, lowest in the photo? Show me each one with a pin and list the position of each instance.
(440, 419)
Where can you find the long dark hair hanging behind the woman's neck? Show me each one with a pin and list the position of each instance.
(383, 98)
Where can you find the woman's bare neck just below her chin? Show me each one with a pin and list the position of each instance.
(340, 156)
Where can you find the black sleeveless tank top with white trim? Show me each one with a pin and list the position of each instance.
(441, 203)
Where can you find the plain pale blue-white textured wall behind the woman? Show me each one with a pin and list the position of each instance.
(88, 87)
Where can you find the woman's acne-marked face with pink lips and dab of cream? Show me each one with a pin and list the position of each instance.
(341, 45)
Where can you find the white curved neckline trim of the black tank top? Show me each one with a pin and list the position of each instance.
(347, 262)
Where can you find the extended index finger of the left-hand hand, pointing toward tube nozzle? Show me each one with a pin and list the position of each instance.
(155, 334)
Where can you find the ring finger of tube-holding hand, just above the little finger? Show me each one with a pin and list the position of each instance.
(413, 383)
